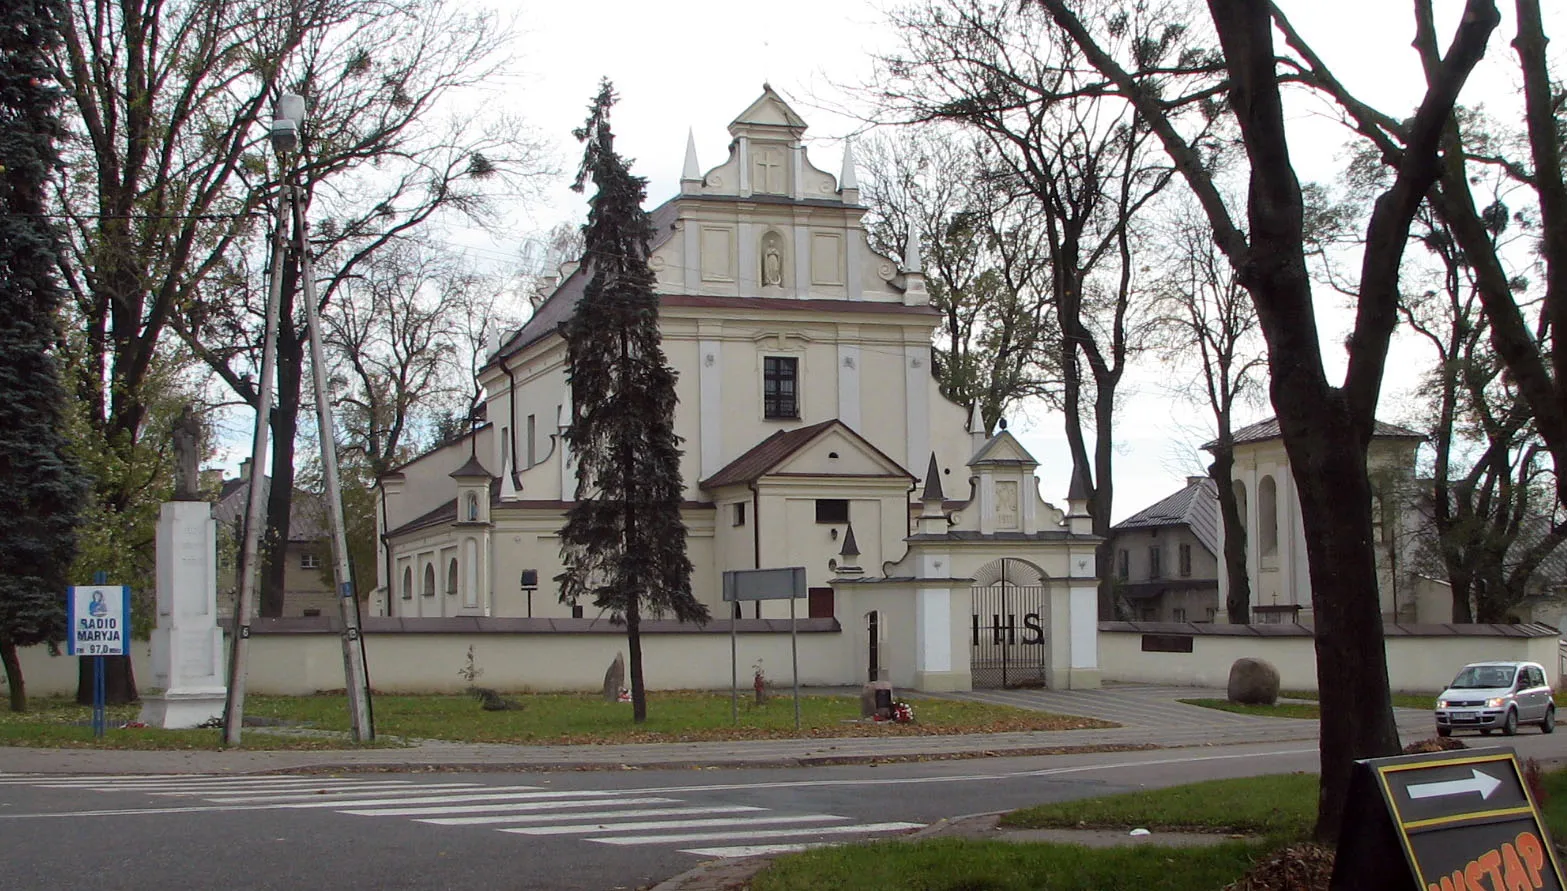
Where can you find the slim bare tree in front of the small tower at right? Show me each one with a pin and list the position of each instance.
(1212, 326)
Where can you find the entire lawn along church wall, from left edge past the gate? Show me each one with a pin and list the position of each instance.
(541, 720)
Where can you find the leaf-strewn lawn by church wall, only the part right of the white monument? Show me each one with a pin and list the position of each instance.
(671, 718)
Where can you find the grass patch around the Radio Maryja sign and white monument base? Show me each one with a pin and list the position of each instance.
(63, 724)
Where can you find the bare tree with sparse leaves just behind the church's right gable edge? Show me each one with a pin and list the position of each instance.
(983, 259)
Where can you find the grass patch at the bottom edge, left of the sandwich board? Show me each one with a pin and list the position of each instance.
(966, 865)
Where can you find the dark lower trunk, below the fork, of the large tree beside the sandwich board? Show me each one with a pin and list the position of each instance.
(1352, 666)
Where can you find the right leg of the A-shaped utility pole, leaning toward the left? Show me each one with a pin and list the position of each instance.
(353, 652)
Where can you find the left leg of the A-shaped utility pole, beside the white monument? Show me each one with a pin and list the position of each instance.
(256, 507)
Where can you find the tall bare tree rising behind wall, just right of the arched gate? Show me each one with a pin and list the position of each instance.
(1088, 167)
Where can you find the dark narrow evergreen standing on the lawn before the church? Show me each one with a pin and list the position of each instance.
(624, 543)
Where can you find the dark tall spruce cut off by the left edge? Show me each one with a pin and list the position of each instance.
(40, 485)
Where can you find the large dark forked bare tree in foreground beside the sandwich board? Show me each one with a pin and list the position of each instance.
(1326, 428)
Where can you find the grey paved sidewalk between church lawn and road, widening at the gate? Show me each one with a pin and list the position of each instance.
(1149, 718)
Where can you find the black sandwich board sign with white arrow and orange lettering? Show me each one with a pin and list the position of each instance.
(1449, 821)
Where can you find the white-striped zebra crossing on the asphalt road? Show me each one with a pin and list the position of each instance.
(615, 818)
